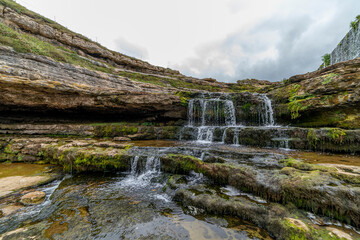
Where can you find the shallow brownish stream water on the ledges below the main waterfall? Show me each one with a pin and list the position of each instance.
(134, 205)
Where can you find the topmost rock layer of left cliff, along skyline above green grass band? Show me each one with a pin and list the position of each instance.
(50, 31)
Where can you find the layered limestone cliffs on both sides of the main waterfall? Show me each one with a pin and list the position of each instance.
(49, 73)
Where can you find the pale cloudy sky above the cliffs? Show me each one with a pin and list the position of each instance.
(223, 39)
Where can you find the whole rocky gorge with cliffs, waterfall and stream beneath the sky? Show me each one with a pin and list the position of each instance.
(98, 145)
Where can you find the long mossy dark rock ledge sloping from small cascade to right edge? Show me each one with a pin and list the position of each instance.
(311, 188)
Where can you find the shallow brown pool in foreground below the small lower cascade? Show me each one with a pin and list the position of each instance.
(118, 207)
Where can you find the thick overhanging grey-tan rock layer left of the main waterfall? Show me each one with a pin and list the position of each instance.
(36, 86)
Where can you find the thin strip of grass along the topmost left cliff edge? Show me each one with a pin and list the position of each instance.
(37, 17)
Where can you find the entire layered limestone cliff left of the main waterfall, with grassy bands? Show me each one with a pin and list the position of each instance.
(53, 74)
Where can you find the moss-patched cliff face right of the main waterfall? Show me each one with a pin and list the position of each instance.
(327, 97)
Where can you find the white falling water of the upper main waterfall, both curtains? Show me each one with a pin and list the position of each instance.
(216, 112)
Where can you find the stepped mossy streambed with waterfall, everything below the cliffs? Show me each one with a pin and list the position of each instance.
(229, 176)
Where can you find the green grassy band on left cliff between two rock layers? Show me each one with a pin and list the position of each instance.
(24, 43)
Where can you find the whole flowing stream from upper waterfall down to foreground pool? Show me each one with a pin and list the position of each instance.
(138, 204)
